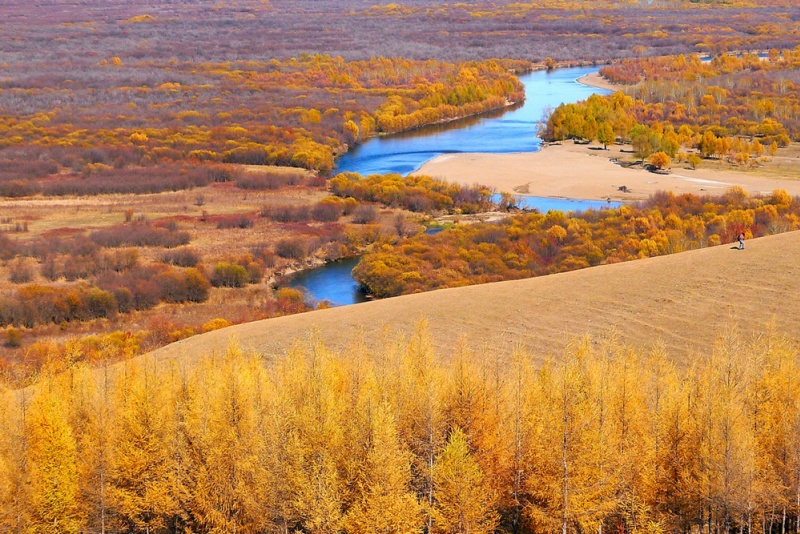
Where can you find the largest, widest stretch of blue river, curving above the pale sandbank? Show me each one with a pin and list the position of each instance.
(499, 132)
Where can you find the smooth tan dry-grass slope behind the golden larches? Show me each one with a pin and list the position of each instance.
(684, 300)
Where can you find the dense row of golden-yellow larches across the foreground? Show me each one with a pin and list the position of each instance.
(399, 438)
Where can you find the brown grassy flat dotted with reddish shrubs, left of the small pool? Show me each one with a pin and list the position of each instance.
(162, 265)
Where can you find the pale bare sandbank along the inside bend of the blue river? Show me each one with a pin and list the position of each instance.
(571, 170)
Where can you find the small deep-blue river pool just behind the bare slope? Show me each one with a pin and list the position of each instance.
(332, 282)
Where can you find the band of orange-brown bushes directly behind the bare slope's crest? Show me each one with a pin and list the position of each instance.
(533, 244)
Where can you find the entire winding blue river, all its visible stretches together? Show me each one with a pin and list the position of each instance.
(503, 131)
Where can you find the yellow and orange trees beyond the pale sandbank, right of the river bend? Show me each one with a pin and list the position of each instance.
(727, 108)
